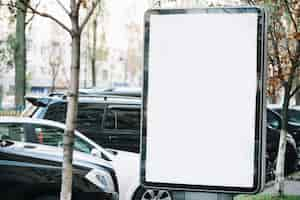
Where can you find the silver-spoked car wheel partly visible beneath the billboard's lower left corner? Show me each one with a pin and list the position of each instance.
(149, 194)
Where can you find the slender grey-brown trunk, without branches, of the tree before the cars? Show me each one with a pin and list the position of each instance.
(66, 189)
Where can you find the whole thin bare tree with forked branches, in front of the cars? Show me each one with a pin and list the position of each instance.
(74, 31)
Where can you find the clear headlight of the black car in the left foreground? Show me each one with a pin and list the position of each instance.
(102, 179)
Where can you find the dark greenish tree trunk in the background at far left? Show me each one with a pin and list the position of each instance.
(20, 57)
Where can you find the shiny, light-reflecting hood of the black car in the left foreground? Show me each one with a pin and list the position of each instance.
(55, 154)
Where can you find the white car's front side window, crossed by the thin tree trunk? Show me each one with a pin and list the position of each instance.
(53, 136)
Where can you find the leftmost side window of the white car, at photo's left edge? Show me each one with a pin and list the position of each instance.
(13, 132)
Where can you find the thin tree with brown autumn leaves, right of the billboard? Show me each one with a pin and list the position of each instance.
(284, 58)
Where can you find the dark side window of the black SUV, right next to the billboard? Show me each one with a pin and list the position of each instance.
(122, 119)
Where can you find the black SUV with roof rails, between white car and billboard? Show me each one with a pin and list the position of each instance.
(111, 121)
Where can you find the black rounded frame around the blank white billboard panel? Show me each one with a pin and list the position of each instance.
(260, 121)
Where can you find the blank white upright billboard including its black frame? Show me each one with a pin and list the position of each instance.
(203, 124)
